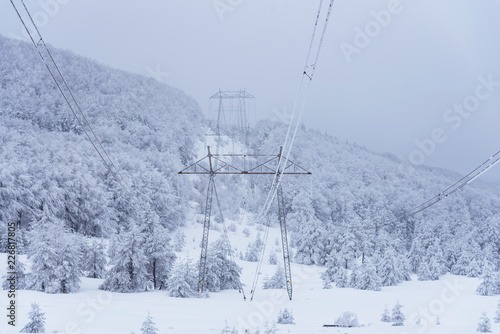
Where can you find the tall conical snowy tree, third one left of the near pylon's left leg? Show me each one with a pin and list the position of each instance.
(129, 271)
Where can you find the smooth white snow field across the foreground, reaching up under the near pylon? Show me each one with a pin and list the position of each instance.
(90, 310)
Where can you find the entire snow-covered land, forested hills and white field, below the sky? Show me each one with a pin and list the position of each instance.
(98, 258)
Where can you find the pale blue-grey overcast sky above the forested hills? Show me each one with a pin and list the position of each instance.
(416, 78)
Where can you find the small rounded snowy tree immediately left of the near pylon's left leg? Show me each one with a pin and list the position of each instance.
(184, 280)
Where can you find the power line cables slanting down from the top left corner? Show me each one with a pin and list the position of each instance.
(68, 98)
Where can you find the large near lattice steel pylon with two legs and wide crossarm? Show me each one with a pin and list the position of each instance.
(217, 164)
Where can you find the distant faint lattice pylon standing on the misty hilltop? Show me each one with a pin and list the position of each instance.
(229, 110)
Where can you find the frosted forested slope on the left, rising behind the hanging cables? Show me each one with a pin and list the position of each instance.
(147, 128)
